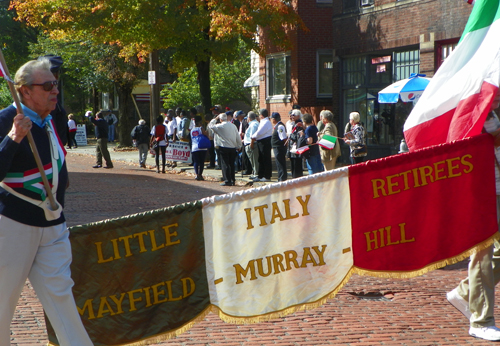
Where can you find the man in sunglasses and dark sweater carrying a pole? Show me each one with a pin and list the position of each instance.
(34, 240)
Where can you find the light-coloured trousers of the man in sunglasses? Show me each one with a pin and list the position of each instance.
(42, 254)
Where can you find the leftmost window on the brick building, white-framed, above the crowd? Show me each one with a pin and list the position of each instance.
(279, 81)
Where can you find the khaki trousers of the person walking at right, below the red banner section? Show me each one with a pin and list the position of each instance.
(479, 288)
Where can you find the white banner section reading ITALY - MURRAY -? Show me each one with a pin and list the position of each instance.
(278, 248)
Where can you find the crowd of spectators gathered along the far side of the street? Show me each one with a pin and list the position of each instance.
(235, 141)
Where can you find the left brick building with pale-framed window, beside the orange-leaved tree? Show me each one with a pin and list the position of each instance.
(303, 75)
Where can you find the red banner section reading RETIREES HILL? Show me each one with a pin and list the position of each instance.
(420, 211)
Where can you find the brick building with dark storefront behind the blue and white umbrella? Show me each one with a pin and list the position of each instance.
(377, 43)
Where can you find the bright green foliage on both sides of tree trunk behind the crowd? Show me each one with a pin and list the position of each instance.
(226, 79)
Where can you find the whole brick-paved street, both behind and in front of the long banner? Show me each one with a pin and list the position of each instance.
(367, 311)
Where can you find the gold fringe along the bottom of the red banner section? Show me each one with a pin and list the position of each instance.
(433, 266)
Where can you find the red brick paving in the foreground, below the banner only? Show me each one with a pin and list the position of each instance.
(367, 311)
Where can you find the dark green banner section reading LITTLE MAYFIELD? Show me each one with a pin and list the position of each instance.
(140, 277)
